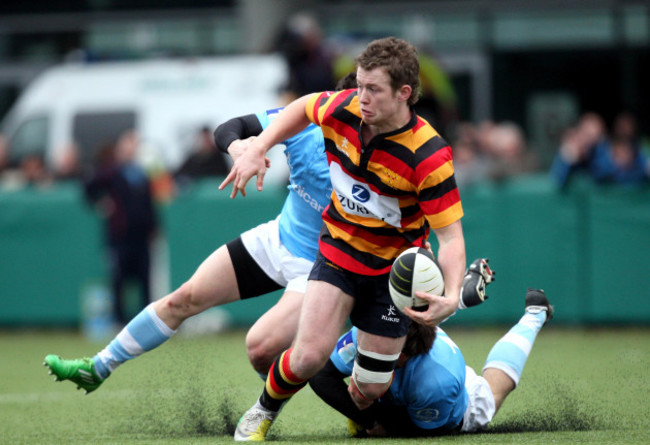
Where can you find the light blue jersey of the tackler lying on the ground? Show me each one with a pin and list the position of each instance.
(431, 386)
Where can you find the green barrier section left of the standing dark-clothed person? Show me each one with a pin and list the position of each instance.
(50, 249)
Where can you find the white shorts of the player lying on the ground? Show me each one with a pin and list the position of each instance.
(480, 405)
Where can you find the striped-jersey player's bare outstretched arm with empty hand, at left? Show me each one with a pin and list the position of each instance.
(252, 162)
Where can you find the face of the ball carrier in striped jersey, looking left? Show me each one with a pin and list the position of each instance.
(378, 102)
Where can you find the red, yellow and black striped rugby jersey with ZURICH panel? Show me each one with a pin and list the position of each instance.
(385, 196)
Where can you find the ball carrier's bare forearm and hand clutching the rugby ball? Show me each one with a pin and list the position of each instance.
(451, 257)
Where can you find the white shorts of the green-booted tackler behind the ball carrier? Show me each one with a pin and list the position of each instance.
(264, 245)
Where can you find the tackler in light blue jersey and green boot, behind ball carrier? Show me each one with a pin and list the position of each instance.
(275, 255)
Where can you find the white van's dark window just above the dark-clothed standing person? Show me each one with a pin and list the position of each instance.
(92, 131)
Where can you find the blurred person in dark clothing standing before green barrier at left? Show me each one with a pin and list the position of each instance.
(121, 191)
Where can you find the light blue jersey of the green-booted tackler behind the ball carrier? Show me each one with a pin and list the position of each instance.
(309, 188)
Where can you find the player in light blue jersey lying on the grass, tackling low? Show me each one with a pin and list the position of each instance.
(433, 392)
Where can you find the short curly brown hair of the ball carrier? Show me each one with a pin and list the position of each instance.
(399, 58)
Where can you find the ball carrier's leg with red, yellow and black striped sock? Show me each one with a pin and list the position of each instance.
(322, 318)
